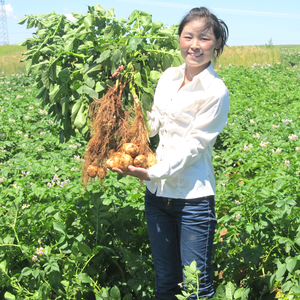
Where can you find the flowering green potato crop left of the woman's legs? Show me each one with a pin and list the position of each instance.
(58, 240)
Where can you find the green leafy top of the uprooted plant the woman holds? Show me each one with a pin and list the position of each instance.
(76, 60)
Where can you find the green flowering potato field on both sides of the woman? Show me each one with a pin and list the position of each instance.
(60, 241)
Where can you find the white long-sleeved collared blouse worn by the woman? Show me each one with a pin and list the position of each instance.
(188, 121)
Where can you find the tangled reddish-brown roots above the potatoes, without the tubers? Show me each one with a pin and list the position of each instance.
(112, 126)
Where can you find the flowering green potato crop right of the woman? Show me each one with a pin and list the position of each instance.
(257, 170)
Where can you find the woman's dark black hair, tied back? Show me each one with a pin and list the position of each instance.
(219, 27)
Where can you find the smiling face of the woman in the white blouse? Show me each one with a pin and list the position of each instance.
(197, 46)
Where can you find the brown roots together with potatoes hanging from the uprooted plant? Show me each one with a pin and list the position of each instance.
(119, 137)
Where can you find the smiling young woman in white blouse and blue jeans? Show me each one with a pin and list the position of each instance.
(190, 109)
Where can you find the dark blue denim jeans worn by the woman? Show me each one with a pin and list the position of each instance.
(180, 231)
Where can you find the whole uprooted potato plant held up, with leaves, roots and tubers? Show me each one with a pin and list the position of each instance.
(98, 75)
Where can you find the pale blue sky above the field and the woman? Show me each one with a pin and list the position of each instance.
(250, 22)
